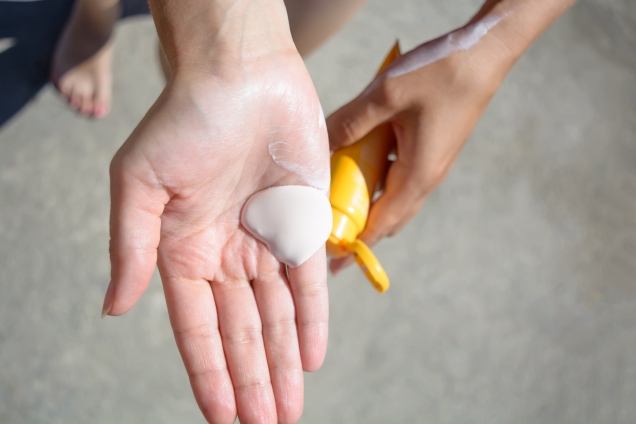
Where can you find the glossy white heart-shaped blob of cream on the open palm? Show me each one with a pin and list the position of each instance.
(293, 221)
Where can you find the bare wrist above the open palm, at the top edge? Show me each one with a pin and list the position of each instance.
(221, 37)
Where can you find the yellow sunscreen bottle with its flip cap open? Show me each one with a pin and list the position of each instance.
(355, 173)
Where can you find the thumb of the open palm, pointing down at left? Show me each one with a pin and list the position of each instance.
(137, 202)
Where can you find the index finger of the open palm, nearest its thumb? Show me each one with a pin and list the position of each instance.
(194, 322)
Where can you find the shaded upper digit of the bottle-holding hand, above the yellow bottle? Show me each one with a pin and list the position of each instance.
(355, 119)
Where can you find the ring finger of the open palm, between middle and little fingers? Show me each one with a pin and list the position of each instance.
(276, 308)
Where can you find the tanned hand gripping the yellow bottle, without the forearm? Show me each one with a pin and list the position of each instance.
(433, 103)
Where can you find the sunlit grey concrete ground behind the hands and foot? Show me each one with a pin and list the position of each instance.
(514, 290)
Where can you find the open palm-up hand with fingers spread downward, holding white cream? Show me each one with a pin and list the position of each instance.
(245, 330)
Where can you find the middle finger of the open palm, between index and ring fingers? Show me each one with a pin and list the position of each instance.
(241, 332)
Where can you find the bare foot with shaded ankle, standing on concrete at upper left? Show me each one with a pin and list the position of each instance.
(82, 64)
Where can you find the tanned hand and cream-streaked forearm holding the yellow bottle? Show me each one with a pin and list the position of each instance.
(433, 96)
